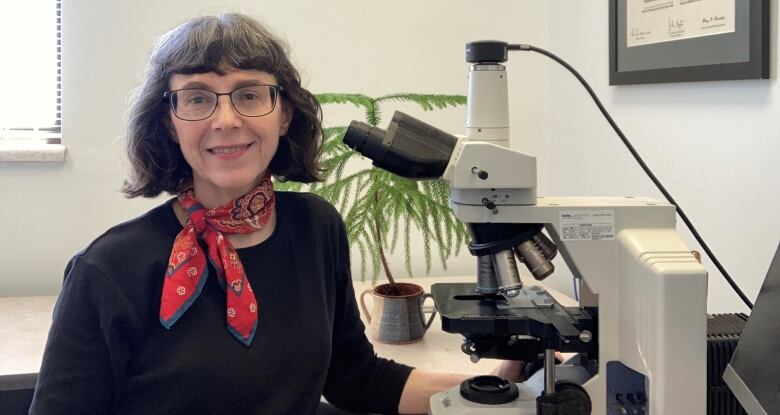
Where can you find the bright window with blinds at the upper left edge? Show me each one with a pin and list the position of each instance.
(30, 74)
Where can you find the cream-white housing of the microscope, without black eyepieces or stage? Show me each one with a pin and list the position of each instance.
(650, 292)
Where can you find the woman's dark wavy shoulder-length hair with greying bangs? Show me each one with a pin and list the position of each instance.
(213, 44)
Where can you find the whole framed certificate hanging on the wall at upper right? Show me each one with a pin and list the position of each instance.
(656, 41)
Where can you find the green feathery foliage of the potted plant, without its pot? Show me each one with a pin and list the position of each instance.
(372, 200)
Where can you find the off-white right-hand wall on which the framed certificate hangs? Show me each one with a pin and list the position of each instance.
(714, 145)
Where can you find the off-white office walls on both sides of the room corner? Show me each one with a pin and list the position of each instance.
(713, 144)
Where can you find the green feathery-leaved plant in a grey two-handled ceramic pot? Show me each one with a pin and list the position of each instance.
(380, 208)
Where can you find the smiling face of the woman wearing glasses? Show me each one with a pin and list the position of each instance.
(228, 152)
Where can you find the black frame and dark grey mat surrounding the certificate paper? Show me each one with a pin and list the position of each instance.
(751, 31)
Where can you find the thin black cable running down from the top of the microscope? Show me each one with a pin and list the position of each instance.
(642, 164)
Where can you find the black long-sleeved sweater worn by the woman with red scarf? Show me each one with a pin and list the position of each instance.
(108, 353)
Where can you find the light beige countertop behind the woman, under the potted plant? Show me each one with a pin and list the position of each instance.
(25, 322)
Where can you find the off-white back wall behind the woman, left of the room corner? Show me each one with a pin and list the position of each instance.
(50, 211)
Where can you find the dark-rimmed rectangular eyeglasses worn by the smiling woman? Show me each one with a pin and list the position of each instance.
(195, 104)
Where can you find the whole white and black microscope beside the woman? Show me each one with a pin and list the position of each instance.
(638, 335)
